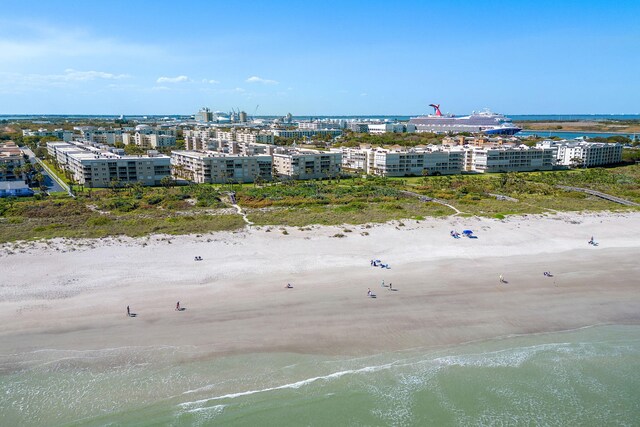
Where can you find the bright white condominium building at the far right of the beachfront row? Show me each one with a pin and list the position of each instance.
(583, 153)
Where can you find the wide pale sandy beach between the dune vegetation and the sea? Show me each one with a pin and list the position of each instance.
(72, 295)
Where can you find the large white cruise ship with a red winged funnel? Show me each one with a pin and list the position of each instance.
(485, 122)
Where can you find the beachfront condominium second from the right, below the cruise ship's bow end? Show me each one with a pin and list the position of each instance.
(519, 158)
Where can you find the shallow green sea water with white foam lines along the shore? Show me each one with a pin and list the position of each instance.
(585, 377)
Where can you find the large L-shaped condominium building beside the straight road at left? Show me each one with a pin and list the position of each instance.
(95, 168)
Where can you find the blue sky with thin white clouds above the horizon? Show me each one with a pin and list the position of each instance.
(319, 58)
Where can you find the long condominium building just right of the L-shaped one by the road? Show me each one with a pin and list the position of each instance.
(220, 168)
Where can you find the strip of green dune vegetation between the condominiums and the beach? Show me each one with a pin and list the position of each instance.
(135, 211)
